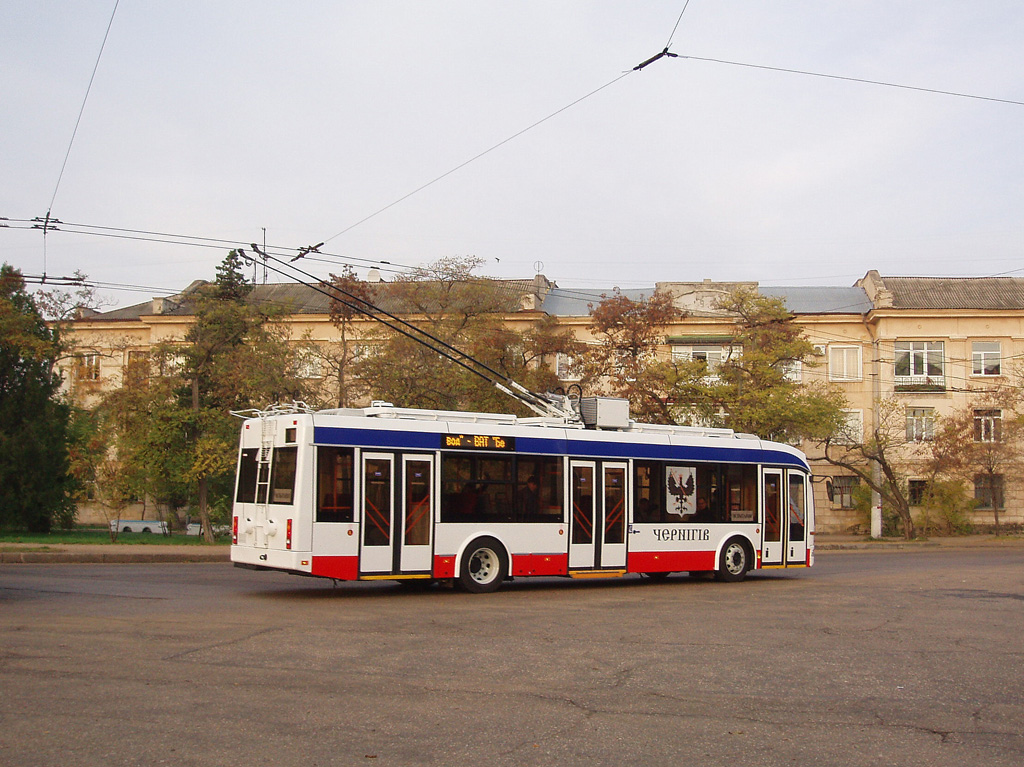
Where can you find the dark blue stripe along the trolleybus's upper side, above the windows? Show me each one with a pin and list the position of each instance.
(577, 448)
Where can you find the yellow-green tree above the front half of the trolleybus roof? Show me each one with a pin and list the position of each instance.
(752, 390)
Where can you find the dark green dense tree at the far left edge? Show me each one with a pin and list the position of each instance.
(36, 485)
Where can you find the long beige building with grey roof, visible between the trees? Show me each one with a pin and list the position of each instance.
(929, 347)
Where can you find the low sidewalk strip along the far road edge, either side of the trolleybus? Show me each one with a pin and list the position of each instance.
(153, 553)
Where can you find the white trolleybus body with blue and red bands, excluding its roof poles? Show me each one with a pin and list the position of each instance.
(389, 493)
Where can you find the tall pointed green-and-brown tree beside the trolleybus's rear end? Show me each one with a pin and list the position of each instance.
(173, 434)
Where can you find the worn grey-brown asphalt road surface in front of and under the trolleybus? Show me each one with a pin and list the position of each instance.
(870, 659)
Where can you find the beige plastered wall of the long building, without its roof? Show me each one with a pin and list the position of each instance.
(870, 338)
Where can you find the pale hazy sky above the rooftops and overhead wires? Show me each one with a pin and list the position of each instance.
(329, 121)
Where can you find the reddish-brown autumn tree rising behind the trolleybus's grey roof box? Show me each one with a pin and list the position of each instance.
(625, 362)
